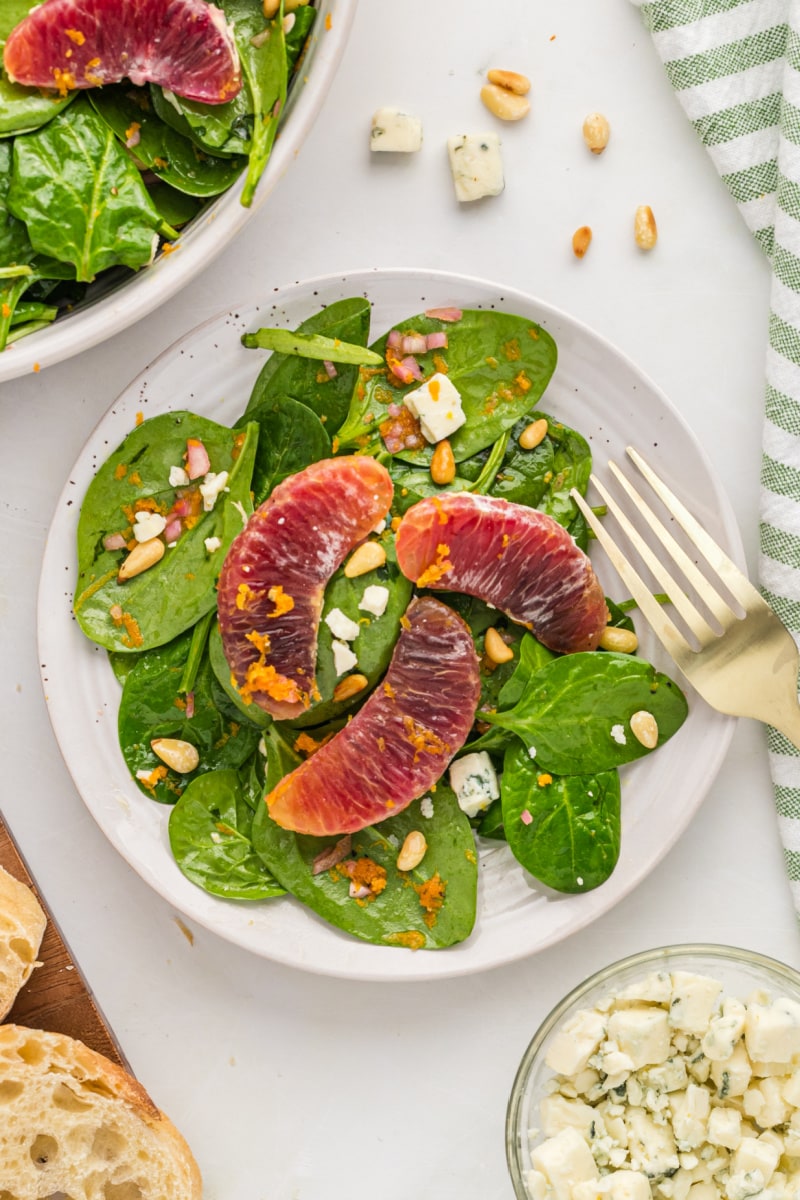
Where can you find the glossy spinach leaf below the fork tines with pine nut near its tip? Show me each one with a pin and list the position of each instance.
(575, 712)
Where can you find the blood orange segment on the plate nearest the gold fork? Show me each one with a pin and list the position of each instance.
(516, 559)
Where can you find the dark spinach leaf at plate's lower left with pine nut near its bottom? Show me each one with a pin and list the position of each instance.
(153, 706)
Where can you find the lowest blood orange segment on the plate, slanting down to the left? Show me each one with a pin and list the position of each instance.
(401, 742)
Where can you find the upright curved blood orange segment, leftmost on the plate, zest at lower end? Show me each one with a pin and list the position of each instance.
(273, 581)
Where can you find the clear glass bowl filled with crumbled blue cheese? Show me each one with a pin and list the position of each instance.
(673, 1075)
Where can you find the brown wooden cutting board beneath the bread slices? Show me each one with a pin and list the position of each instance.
(57, 998)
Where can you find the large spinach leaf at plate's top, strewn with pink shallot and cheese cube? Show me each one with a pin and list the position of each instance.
(500, 363)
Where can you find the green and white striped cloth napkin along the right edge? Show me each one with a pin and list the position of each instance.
(736, 69)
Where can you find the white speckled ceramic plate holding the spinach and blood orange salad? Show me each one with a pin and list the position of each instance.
(596, 389)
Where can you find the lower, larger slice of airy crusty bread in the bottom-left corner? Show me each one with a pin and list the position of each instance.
(76, 1123)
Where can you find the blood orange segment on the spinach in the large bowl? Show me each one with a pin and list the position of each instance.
(187, 46)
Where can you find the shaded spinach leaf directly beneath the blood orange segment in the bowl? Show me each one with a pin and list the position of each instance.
(166, 153)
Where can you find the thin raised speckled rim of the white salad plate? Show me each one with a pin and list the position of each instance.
(453, 964)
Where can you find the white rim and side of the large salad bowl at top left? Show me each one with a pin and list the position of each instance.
(209, 233)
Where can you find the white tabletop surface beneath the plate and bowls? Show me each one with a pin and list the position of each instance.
(291, 1085)
